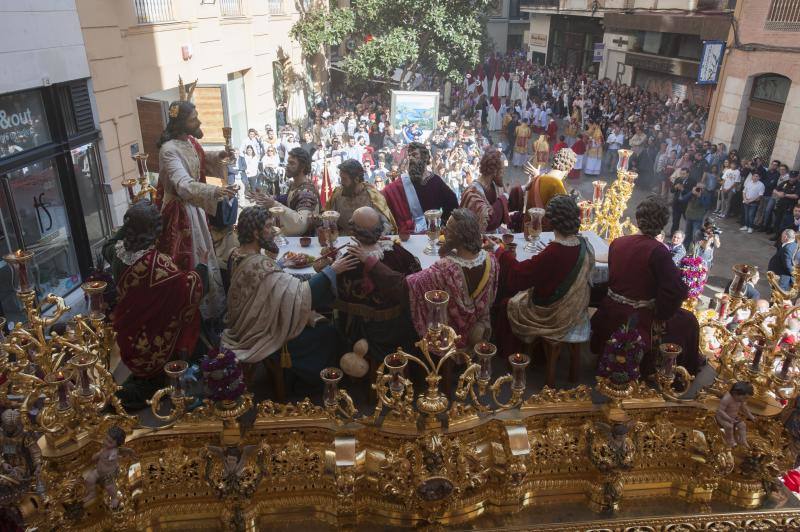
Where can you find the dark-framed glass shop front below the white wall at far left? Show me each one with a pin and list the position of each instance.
(52, 200)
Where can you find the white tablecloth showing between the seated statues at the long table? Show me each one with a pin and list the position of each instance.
(417, 243)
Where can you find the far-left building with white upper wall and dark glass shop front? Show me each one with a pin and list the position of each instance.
(53, 197)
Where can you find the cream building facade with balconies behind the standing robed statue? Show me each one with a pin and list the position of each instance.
(238, 51)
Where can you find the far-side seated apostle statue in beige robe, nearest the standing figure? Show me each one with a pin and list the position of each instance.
(301, 203)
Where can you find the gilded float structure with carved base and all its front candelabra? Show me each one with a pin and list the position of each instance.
(451, 444)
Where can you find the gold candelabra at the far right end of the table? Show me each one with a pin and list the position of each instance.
(609, 208)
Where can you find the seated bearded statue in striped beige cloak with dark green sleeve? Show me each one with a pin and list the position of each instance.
(272, 313)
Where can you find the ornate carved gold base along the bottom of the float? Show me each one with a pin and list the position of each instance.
(544, 468)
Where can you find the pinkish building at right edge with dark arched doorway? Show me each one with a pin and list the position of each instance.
(757, 107)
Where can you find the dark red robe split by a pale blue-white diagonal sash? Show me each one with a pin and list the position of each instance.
(435, 194)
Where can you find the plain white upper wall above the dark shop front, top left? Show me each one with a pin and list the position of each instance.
(40, 39)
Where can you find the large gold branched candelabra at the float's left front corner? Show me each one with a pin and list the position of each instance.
(70, 371)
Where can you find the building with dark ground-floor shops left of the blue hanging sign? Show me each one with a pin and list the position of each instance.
(655, 44)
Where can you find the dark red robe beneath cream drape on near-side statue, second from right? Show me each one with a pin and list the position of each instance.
(545, 272)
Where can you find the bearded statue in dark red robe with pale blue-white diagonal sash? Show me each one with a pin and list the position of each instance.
(418, 190)
